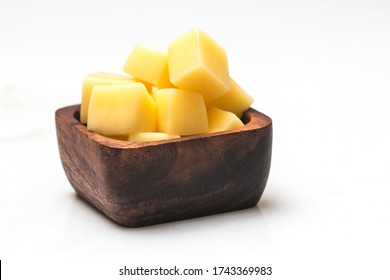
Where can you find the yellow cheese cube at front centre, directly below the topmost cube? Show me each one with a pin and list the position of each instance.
(180, 112)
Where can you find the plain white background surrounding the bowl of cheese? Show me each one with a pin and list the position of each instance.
(320, 69)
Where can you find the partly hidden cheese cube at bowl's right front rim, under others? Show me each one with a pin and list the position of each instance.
(220, 120)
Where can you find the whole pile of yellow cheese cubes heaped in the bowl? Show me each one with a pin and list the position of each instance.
(184, 91)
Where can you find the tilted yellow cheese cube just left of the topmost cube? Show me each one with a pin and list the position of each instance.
(148, 64)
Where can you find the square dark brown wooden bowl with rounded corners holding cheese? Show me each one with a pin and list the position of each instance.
(138, 184)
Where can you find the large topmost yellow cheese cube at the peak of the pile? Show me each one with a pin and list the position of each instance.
(197, 63)
